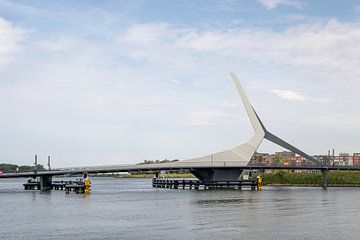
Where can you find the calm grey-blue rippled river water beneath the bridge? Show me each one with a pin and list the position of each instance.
(132, 209)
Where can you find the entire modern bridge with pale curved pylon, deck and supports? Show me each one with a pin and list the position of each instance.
(222, 166)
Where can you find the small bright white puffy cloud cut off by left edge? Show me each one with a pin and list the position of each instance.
(10, 37)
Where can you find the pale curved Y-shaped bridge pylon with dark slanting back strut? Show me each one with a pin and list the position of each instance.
(242, 154)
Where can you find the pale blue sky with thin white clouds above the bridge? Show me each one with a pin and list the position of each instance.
(116, 82)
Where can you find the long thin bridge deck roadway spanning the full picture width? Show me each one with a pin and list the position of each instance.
(168, 166)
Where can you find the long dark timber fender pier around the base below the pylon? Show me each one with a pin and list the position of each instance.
(204, 185)
